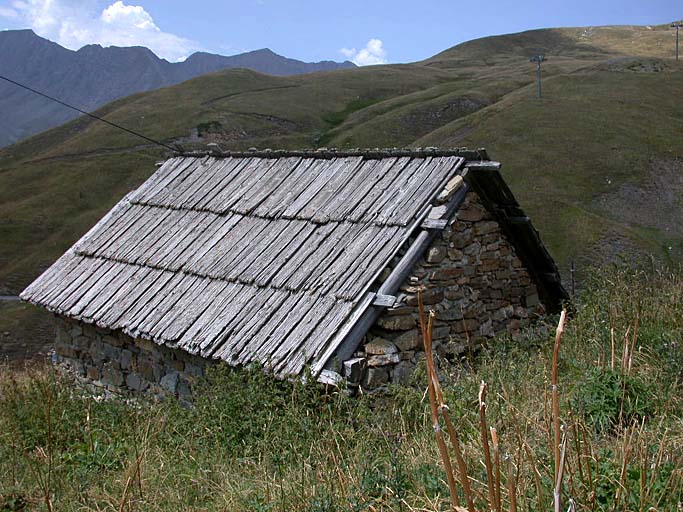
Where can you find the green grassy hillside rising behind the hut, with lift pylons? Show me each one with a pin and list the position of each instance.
(601, 141)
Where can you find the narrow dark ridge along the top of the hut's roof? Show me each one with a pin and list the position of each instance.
(327, 153)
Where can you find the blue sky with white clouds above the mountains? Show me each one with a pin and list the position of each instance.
(364, 31)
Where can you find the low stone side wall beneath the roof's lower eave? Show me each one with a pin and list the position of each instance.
(113, 361)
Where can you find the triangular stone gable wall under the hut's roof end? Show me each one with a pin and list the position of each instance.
(475, 284)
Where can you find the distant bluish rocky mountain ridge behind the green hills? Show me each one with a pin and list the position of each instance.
(93, 75)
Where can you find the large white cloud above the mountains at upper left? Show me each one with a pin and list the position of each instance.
(75, 23)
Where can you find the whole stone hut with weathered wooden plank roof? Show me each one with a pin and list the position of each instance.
(295, 259)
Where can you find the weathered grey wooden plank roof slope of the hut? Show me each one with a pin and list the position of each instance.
(248, 257)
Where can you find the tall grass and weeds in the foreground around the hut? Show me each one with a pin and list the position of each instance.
(251, 443)
